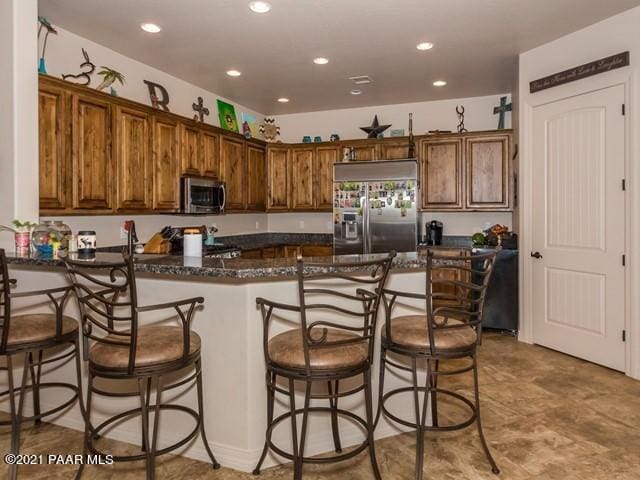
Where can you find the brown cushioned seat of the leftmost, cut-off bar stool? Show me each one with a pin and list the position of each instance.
(37, 327)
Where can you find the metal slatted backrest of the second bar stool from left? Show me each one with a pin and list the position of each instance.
(107, 300)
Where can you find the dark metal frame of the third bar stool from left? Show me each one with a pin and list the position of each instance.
(314, 336)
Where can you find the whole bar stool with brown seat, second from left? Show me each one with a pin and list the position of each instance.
(117, 347)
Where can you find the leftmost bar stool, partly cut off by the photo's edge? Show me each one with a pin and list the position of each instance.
(30, 336)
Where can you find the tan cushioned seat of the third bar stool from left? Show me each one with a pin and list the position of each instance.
(286, 350)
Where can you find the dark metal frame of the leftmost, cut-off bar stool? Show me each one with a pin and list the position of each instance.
(34, 358)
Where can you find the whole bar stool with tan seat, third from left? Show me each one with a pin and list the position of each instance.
(324, 350)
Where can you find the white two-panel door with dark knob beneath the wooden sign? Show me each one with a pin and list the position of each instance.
(579, 226)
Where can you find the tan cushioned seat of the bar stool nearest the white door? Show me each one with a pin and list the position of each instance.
(411, 331)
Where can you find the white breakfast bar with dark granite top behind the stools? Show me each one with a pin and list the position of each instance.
(230, 326)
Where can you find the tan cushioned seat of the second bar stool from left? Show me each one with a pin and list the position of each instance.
(156, 345)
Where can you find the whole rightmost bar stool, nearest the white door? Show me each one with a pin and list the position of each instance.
(449, 329)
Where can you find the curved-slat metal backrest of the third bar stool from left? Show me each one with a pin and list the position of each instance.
(367, 279)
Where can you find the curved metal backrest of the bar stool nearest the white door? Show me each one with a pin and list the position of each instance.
(456, 290)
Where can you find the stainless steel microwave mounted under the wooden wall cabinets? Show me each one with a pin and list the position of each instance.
(202, 195)
